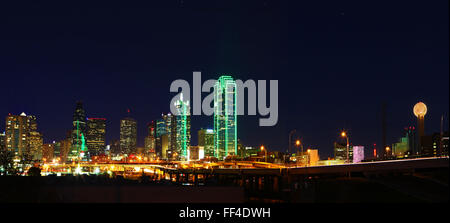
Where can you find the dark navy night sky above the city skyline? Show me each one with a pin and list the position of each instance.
(336, 62)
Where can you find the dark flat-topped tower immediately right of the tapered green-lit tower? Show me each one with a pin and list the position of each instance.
(96, 136)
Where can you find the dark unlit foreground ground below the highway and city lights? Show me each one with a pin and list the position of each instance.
(422, 187)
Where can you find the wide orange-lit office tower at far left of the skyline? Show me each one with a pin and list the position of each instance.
(17, 134)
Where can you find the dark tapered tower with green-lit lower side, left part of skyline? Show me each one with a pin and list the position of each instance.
(79, 149)
